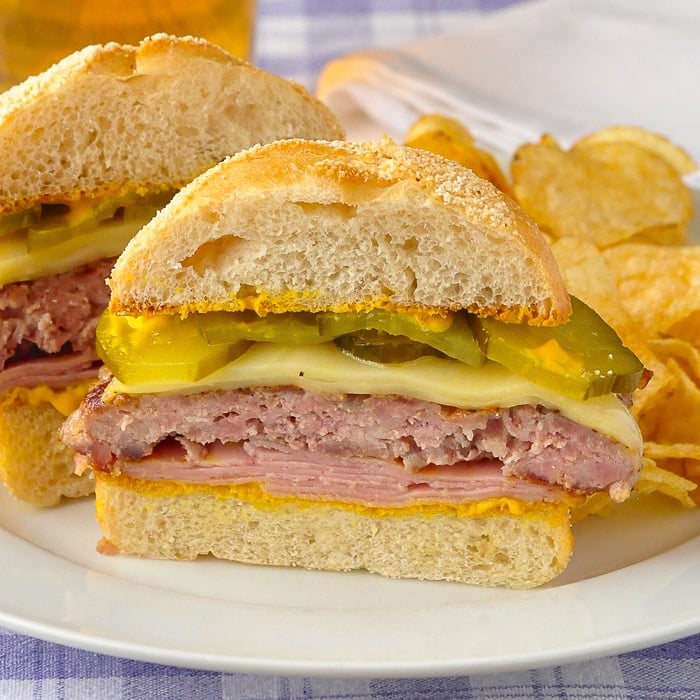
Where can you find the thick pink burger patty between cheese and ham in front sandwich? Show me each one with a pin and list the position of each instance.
(528, 442)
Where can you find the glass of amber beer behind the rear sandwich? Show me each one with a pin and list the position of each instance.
(36, 33)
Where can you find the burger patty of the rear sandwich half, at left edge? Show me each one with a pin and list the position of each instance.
(52, 314)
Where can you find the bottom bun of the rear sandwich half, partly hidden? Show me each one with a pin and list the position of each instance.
(35, 465)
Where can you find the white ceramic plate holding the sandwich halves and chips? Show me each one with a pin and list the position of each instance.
(633, 582)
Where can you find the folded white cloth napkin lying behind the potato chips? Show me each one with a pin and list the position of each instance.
(566, 67)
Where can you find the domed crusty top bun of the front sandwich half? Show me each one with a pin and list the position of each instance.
(308, 226)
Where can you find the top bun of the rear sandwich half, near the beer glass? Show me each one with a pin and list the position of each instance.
(107, 117)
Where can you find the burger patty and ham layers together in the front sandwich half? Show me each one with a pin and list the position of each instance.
(378, 450)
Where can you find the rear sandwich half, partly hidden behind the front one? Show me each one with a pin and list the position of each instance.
(91, 149)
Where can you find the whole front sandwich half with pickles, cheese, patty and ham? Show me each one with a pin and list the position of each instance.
(352, 356)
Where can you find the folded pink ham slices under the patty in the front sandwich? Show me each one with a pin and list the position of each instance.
(353, 479)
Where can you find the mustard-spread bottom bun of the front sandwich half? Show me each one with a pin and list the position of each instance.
(499, 543)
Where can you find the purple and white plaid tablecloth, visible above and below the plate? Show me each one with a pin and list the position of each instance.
(295, 38)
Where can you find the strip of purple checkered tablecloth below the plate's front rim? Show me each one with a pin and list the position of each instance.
(33, 670)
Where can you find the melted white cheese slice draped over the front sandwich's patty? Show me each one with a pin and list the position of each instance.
(325, 369)
